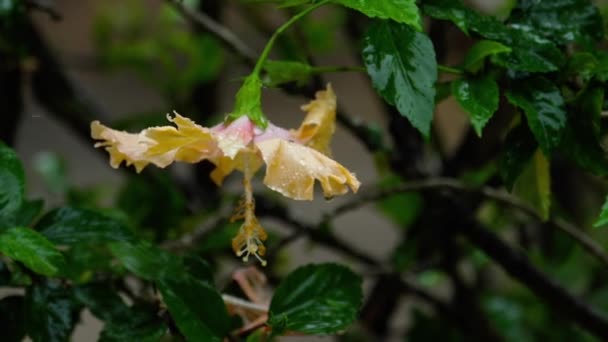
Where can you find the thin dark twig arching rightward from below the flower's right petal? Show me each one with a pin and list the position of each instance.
(502, 197)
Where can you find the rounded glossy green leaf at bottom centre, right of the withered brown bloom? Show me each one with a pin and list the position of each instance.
(316, 299)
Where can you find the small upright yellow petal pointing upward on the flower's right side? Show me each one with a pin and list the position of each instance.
(319, 125)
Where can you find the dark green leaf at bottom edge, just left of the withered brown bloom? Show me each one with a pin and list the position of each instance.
(197, 308)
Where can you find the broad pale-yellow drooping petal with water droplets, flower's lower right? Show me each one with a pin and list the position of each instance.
(291, 169)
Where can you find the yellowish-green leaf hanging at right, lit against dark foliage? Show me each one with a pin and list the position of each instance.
(534, 184)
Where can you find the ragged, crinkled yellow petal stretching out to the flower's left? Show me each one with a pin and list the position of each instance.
(160, 146)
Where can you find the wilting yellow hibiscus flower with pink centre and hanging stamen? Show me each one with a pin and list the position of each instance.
(294, 159)
